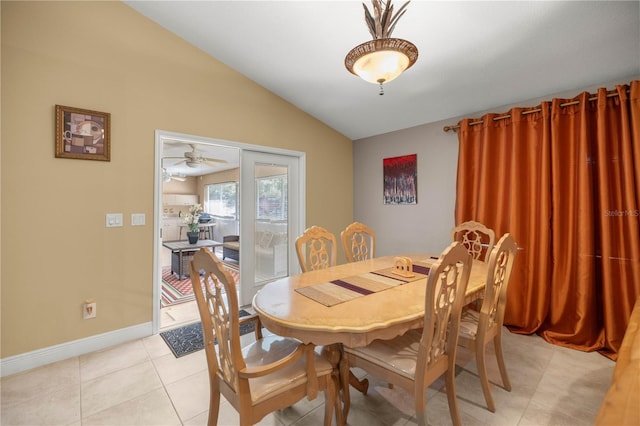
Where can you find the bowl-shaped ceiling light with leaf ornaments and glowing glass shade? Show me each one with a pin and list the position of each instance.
(382, 59)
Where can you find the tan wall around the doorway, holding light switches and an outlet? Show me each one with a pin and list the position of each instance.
(56, 250)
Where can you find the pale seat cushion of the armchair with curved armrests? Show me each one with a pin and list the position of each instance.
(271, 349)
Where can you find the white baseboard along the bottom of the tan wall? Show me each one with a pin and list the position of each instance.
(29, 360)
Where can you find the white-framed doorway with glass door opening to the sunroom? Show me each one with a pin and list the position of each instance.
(192, 169)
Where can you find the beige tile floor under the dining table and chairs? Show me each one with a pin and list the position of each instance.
(142, 383)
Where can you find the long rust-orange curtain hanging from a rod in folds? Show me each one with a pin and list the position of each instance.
(565, 182)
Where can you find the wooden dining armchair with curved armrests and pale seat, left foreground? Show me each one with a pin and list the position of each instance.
(269, 374)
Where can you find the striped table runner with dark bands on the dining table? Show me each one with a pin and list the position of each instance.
(338, 291)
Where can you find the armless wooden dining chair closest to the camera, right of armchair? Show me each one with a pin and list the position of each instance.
(417, 358)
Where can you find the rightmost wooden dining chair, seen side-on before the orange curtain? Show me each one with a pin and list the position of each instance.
(477, 329)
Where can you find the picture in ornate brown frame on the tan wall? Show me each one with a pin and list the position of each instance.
(83, 134)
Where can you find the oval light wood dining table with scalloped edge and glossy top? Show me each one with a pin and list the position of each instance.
(353, 304)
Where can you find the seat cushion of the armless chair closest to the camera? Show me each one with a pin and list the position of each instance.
(399, 354)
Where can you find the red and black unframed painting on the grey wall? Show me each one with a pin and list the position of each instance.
(401, 179)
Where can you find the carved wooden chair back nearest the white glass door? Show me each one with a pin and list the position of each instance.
(316, 249)
